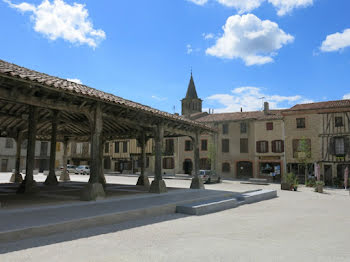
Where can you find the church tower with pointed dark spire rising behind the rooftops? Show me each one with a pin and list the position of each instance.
(191, 103)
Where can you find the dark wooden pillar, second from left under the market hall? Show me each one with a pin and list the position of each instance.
(29, 185)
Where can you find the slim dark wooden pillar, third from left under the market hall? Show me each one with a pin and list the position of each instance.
(51, 179)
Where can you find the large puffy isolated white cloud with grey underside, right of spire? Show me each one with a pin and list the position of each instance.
(253, 40)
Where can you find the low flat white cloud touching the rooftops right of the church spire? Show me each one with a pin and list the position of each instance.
(250, 99)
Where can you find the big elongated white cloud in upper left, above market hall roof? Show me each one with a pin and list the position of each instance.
(61, 20)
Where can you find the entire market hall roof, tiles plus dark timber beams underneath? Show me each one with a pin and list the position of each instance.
(21, 87)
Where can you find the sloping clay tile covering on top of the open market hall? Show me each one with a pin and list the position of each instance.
(60, 84)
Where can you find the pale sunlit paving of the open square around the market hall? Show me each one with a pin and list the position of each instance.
(296, 226)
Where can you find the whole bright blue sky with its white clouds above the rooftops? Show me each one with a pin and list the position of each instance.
(241, 52)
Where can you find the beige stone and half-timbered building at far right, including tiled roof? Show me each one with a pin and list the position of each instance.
(324, 128)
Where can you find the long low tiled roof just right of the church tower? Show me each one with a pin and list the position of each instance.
(238, 116)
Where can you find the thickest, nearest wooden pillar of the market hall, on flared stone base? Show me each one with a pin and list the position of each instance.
(94, 190)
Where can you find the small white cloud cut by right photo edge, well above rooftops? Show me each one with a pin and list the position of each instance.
(337, 41)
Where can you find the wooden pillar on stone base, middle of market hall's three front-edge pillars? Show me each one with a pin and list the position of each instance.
(158, 184)
